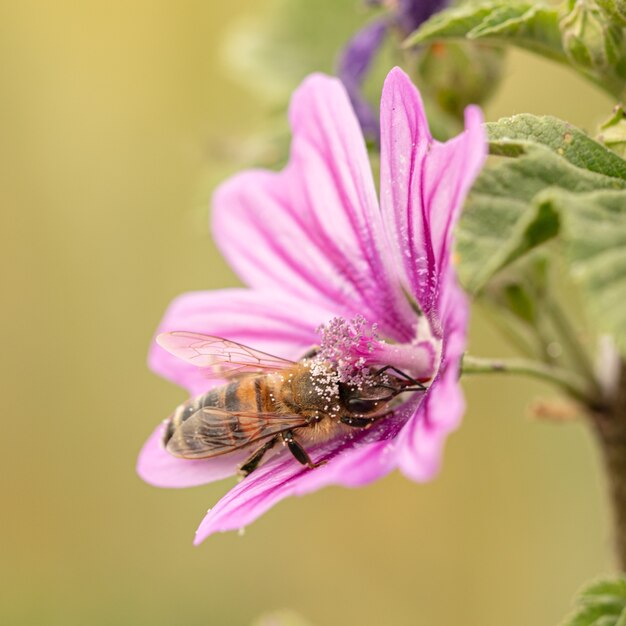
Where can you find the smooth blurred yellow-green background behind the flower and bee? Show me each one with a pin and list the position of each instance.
(116, 118)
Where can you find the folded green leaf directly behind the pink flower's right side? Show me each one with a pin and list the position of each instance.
(503, 219)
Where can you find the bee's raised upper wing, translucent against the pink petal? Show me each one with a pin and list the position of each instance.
(223, 358)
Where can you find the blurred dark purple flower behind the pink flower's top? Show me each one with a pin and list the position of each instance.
(359, 52)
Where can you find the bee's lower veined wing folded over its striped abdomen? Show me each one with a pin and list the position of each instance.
(211, 432)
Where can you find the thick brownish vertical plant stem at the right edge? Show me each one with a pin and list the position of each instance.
(610, 428)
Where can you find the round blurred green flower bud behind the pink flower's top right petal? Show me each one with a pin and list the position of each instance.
(457, 74)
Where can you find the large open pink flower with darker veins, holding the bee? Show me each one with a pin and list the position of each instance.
(317, 249)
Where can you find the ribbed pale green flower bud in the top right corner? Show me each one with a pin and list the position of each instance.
(591, 40)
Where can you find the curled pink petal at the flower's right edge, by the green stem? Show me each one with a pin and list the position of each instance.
(419, 445)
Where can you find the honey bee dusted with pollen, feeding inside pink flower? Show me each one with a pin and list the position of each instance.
(267, 400)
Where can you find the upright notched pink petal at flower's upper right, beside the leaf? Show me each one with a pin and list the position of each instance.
(423, 184)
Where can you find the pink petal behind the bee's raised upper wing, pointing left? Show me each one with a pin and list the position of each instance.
(271, 322)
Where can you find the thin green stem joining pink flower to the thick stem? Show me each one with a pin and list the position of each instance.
(574, 385)
